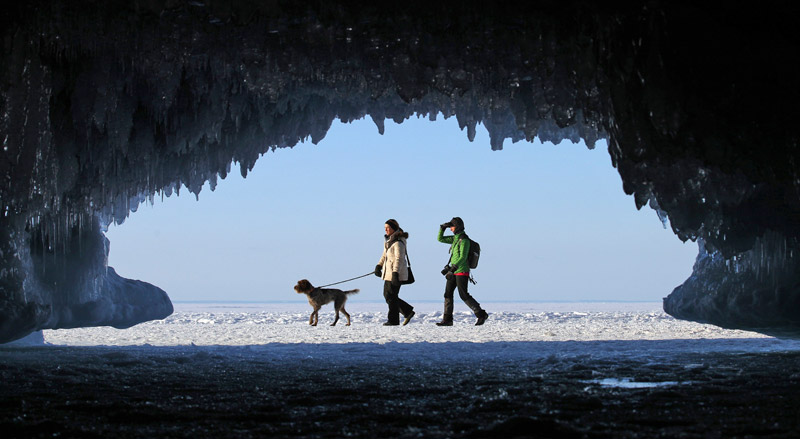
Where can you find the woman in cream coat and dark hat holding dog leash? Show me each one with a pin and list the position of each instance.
(393, 269)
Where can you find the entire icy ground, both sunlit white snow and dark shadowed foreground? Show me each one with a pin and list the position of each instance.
(560, 370)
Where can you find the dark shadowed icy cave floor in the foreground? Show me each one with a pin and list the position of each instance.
(223, 392)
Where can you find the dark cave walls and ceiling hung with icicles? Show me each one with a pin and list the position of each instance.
(107, 104)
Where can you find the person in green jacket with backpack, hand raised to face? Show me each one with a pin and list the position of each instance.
(457, 272)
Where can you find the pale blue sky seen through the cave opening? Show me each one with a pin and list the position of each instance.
(552, 221)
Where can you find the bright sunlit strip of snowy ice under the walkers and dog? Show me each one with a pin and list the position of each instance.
(287, 323)
